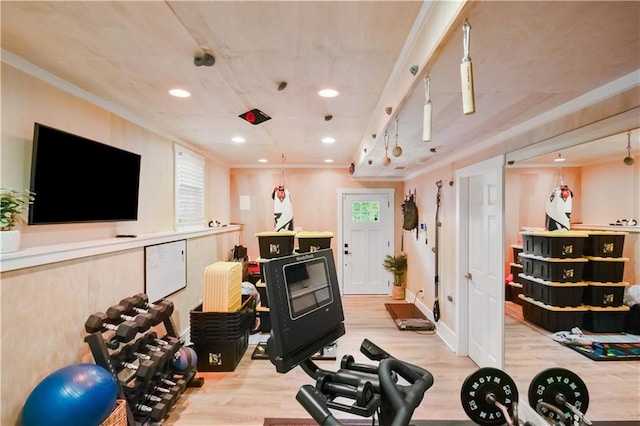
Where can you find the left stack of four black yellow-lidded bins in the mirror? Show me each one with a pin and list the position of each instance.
(552, 279)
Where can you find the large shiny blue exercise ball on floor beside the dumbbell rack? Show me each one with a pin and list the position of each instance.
(80, 394)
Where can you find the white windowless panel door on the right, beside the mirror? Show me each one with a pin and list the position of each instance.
(481, 289)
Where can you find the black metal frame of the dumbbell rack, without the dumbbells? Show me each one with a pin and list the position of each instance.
(103, 356)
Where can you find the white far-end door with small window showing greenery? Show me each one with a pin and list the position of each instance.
(364, 240)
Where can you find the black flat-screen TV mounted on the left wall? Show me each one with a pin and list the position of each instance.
(76, 179)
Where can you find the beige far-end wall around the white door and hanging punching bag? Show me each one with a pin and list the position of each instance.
(313, 194)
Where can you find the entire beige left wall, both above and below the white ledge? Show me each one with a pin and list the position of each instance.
(43, 308)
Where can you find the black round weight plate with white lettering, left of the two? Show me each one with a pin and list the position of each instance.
(478, 386)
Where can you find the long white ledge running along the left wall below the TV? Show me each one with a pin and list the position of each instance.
(42, 255)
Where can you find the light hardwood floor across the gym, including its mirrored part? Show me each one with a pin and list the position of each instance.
(255, 390)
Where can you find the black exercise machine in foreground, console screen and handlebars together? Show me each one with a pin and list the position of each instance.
(306, 315)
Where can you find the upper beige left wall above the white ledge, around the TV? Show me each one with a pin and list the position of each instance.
(26, 100)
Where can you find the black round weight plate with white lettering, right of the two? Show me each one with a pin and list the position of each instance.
(553, 381)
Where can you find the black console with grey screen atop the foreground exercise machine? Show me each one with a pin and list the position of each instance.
(305, 306)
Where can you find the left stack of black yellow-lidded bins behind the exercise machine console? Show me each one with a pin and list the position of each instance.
(272, 244)
